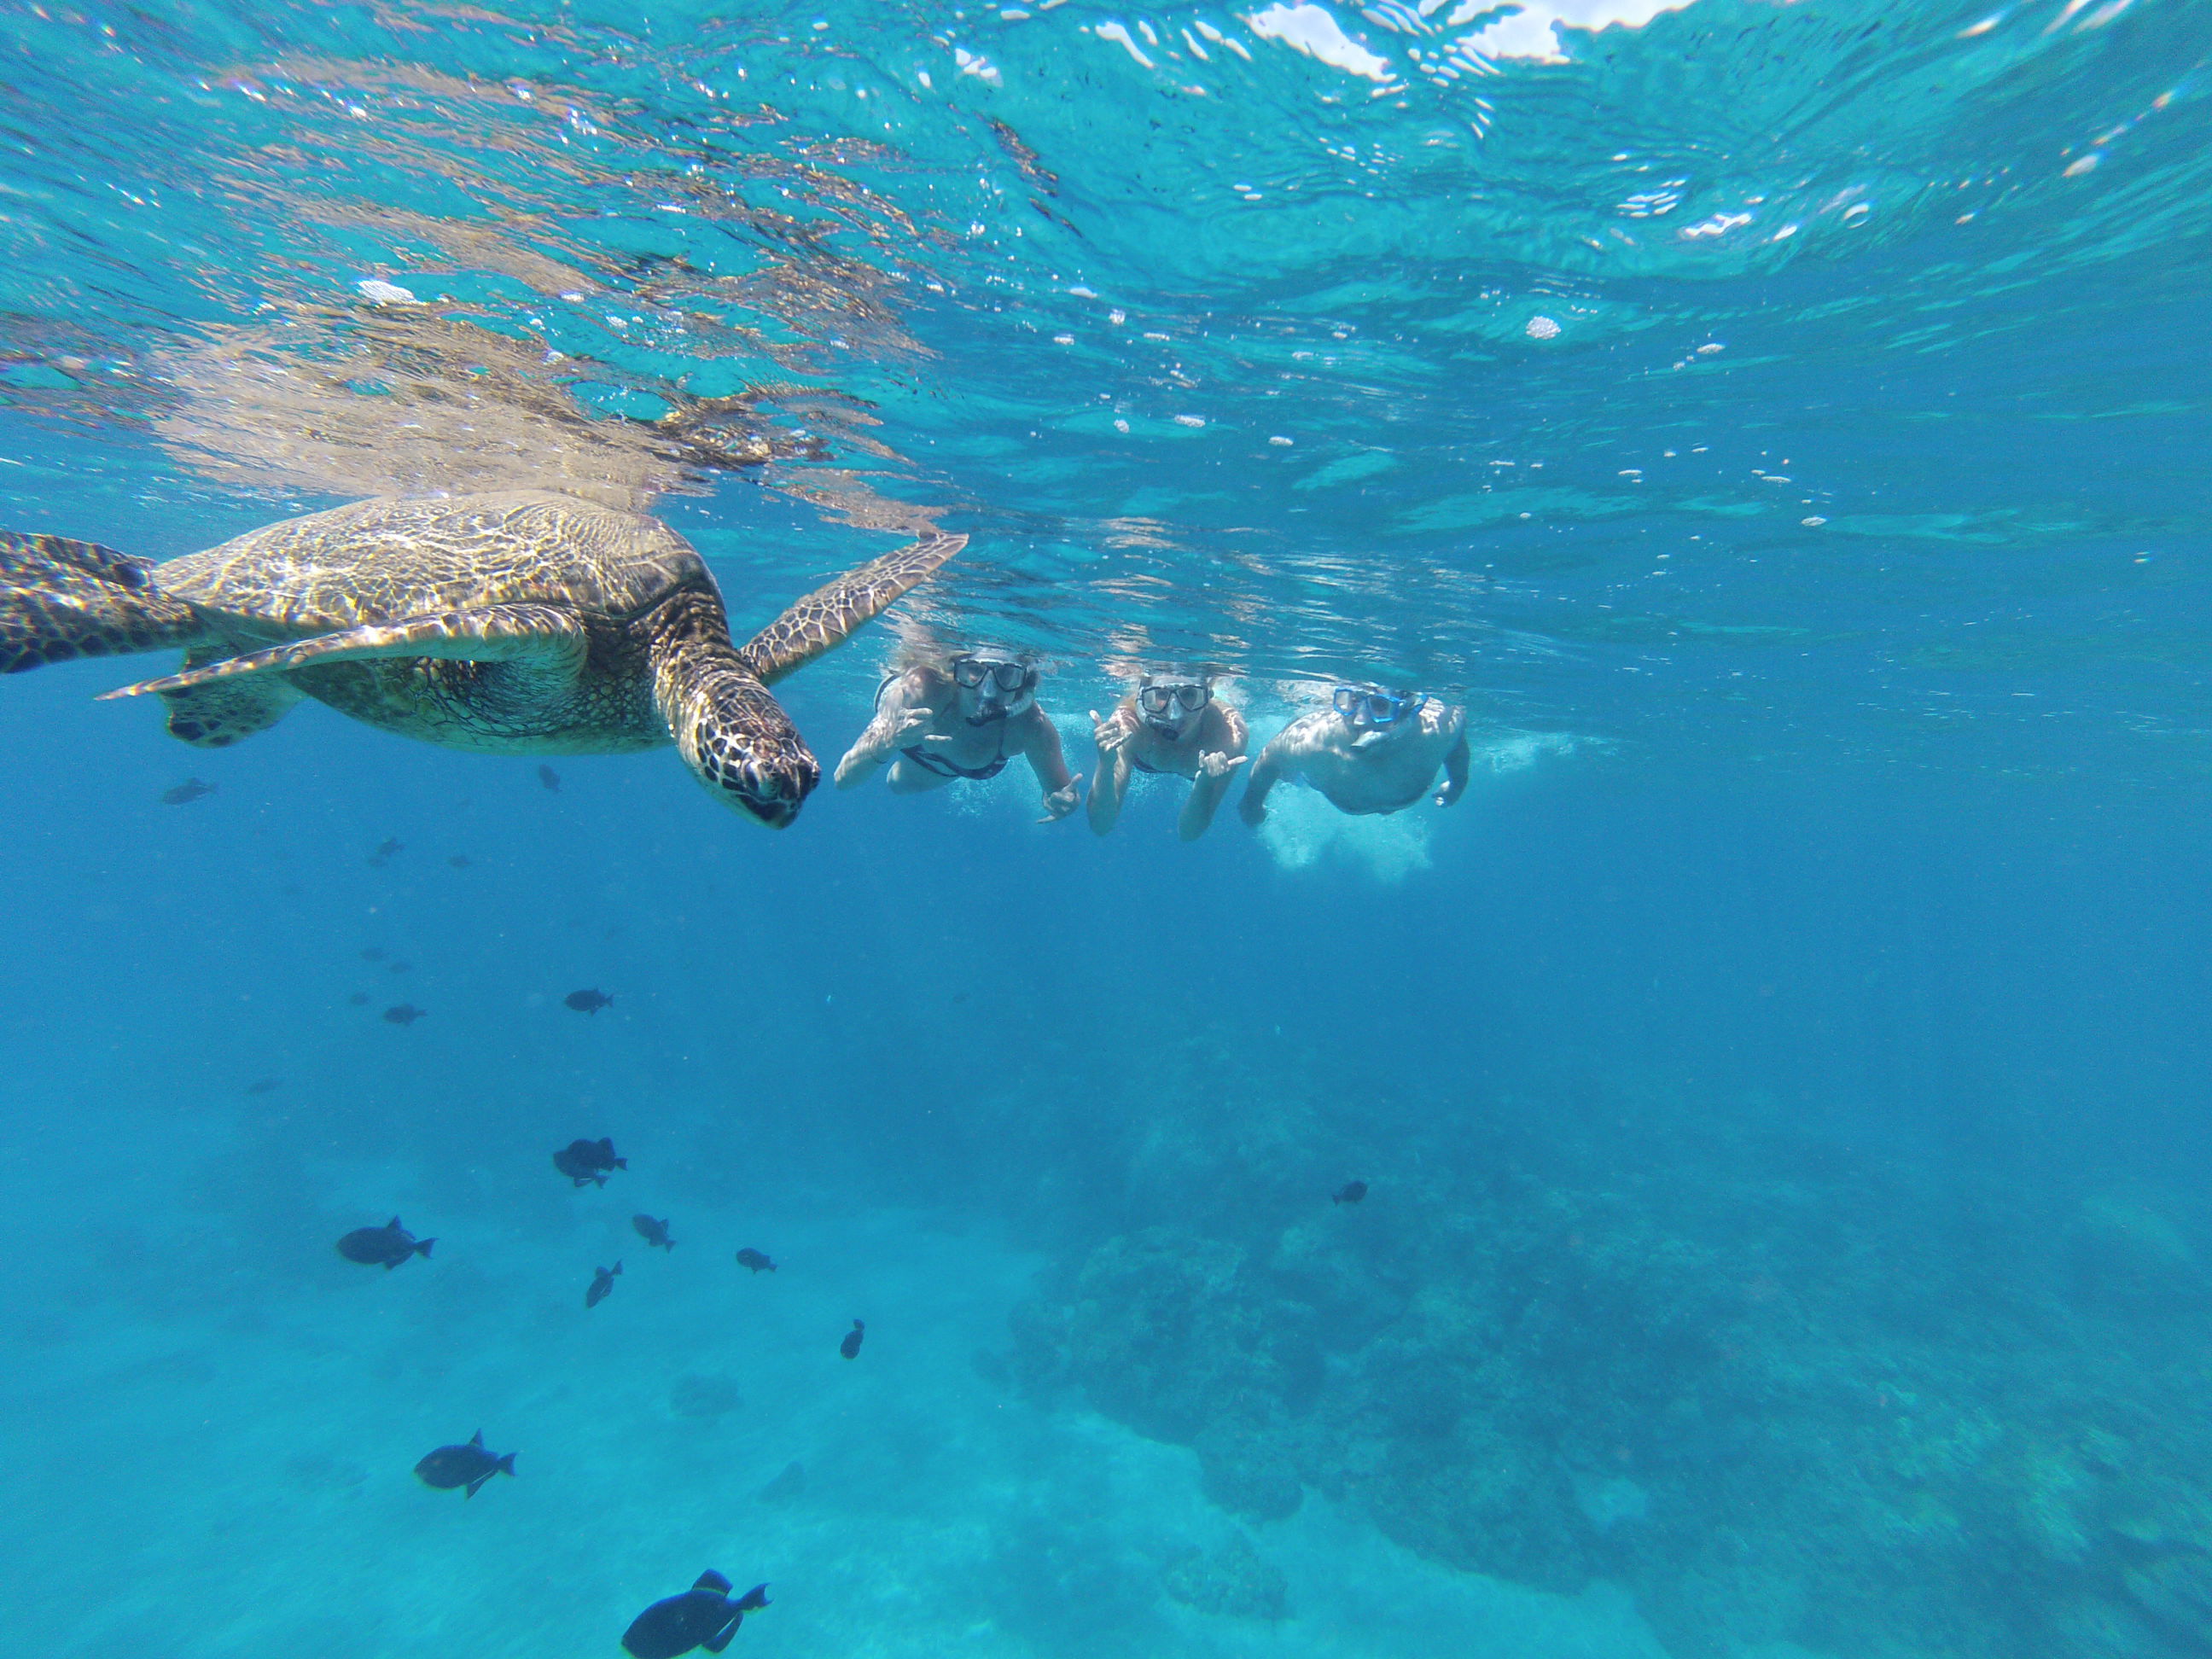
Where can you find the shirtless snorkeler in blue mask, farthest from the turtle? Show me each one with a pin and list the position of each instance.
(1373, 751)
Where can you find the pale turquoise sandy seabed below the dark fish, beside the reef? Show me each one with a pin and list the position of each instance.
(211, 1437)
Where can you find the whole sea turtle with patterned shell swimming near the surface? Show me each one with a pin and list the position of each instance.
(517, 623)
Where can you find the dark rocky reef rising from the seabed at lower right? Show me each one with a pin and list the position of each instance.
(1782, 1390)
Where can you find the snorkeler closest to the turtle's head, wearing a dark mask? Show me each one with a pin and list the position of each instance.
(963, 722)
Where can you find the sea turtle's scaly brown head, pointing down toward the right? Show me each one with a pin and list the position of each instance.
(735, 735)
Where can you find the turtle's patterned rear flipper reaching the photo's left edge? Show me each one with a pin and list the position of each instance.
(63, 601)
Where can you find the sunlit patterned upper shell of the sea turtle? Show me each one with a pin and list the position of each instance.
(382, 561)
